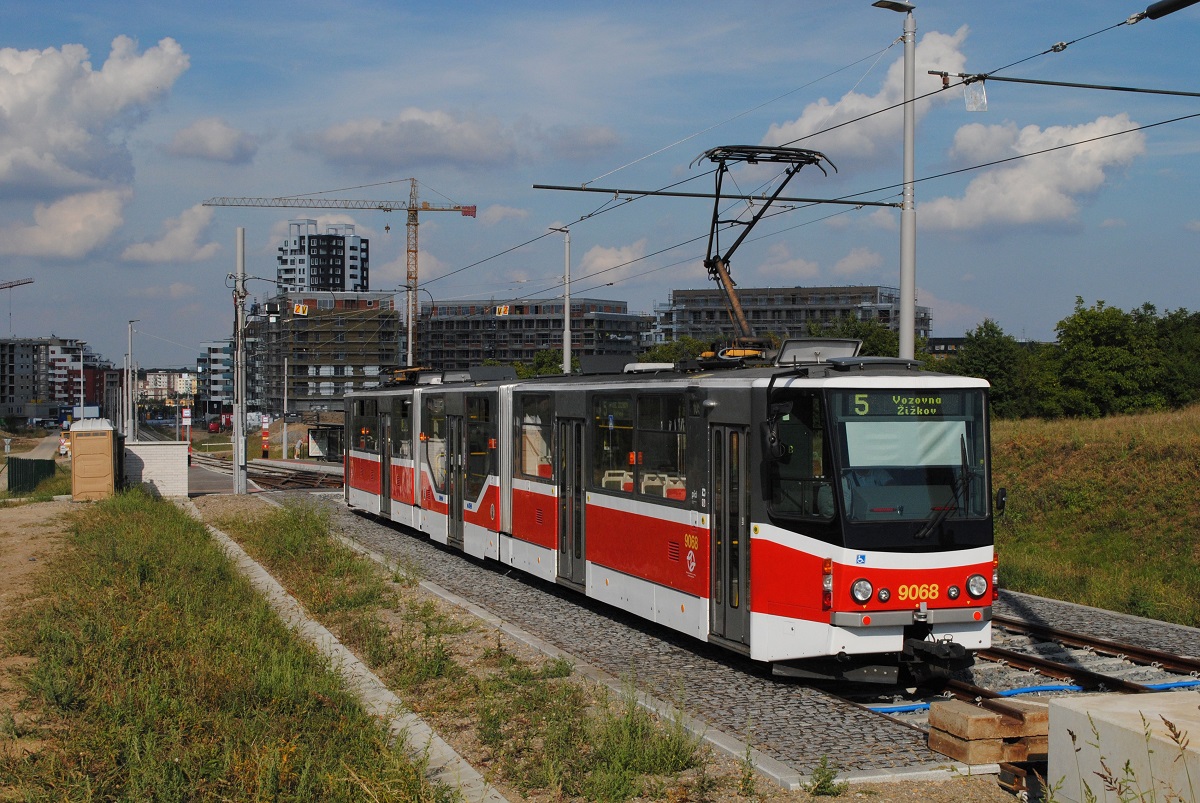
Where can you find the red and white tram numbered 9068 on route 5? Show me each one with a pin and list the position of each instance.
(831, 518)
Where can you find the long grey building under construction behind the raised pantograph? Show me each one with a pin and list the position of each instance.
(784, 311)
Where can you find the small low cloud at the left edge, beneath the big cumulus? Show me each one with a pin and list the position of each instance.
(69, 229)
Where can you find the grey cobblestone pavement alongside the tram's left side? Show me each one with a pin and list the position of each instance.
(789, 722)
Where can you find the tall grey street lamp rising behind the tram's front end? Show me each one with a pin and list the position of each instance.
(908, 209)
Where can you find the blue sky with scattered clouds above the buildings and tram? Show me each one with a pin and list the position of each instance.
(119, 119)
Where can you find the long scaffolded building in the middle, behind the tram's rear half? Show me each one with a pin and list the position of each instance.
(458, 335)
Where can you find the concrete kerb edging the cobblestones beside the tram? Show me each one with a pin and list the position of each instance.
(773, 770)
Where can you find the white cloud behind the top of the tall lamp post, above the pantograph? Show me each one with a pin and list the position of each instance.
(863, 140)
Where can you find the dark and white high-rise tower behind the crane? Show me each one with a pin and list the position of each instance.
(337, 260)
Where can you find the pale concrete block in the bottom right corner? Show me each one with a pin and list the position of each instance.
(1119, 747)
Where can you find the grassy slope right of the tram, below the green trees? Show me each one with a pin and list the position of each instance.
(1103, 513)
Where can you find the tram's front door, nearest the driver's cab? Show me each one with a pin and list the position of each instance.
(730, 535)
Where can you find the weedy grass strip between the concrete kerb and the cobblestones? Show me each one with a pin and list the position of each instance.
(545, 732)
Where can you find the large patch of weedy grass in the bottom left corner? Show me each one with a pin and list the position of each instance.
(164, 676)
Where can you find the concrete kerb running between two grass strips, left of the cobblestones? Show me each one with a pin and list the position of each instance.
(443, 764)
